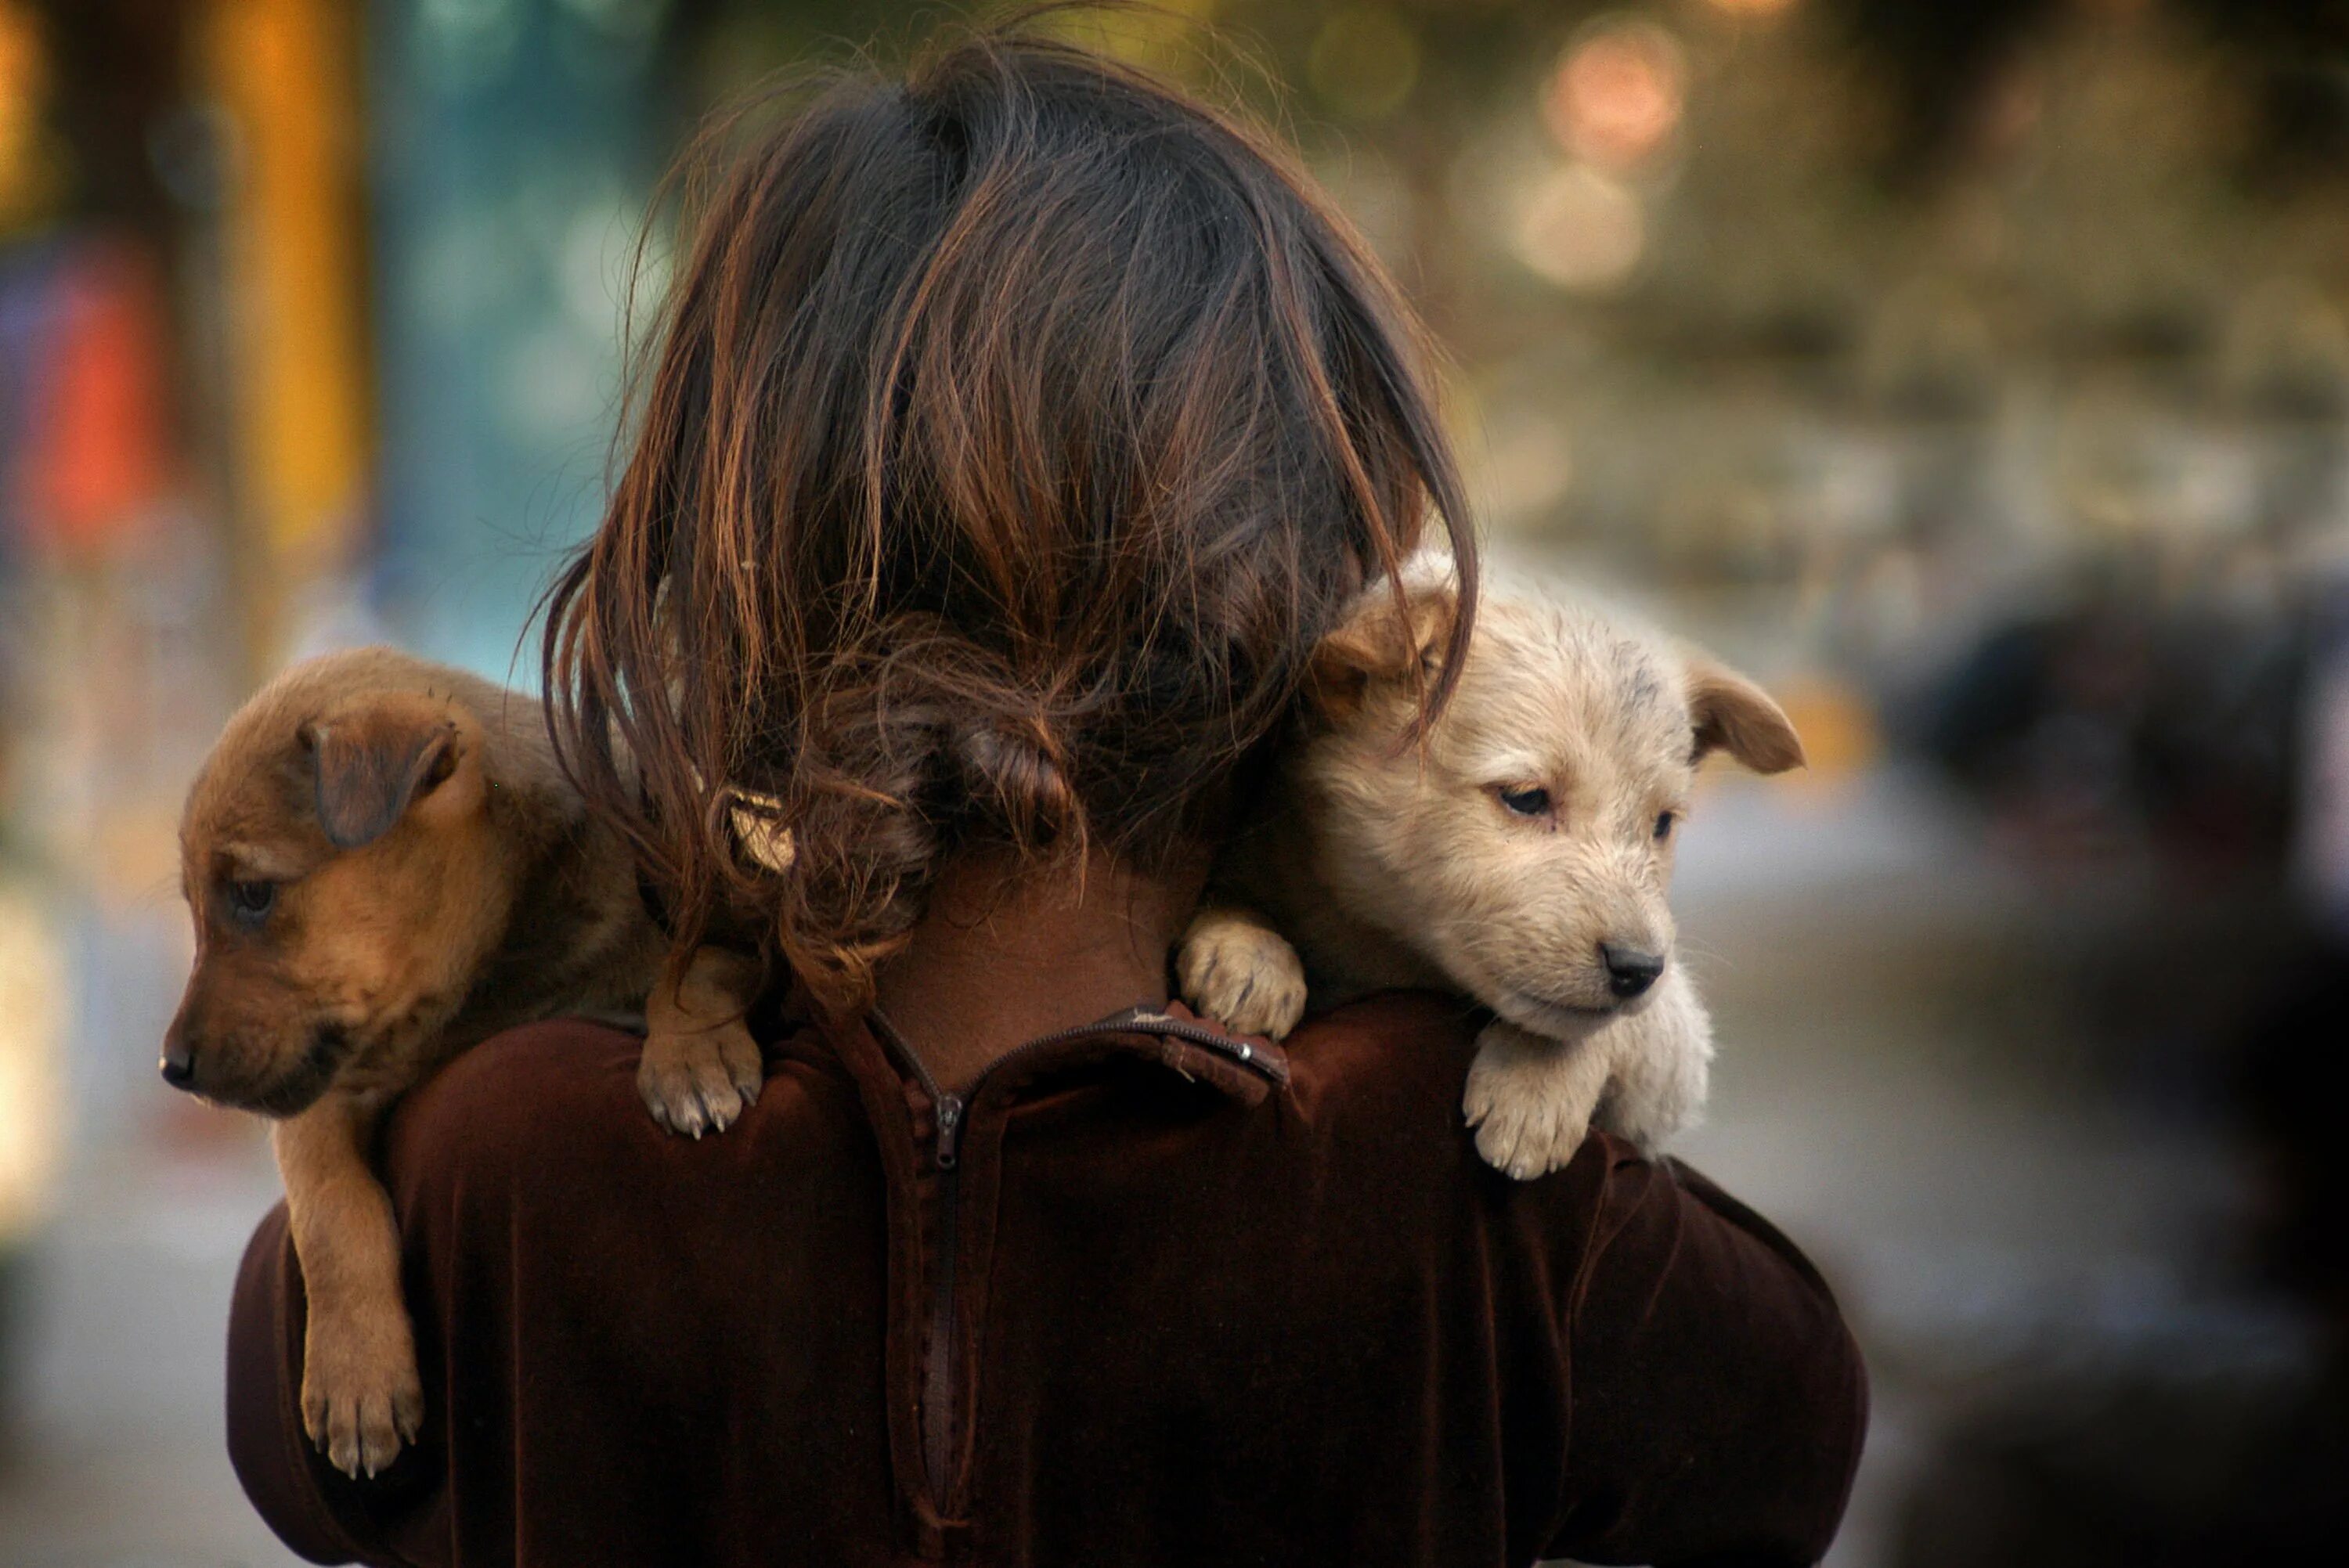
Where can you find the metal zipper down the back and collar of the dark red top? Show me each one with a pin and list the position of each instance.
(945, 1154)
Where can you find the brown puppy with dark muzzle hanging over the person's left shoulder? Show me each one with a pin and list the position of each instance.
(386, 867)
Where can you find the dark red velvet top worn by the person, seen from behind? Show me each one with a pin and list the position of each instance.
(1155, 1297)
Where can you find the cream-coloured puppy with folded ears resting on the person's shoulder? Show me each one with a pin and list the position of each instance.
(1521, 858)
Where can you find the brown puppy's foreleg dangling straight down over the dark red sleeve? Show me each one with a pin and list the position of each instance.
(361, 1395)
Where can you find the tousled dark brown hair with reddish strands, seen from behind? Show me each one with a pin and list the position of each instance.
(1014, 435)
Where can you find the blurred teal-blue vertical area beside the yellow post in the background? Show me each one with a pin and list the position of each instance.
(513, 147)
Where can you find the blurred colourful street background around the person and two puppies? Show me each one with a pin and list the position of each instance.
(1977, 374)
